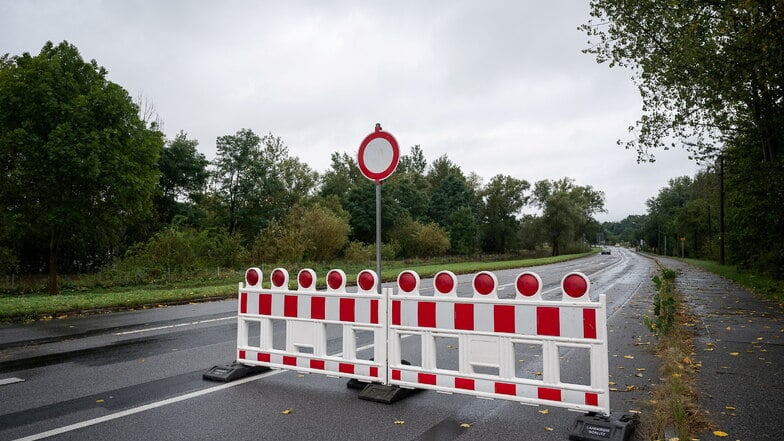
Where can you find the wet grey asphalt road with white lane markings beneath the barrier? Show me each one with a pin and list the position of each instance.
(137, 375)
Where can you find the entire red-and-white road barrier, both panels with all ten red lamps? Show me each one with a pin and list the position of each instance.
(493, 342)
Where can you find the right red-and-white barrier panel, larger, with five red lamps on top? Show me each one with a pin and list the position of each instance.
(489, 335)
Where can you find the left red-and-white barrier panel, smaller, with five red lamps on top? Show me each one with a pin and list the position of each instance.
(310, 318)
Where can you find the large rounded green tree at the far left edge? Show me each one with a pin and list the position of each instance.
(78, 163)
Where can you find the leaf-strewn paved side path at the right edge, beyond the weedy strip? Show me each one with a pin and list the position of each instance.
(739, 342)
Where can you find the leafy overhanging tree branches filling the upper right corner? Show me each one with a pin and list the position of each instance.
(707, 71)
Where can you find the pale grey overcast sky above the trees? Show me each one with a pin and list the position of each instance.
(500, 87)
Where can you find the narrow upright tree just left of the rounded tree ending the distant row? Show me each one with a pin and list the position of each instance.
(504, 197)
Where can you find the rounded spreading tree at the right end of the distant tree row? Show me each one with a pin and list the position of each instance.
(567, 211)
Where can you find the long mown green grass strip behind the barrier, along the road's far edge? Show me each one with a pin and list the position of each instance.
(42, 306)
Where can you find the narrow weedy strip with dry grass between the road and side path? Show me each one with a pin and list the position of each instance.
(674, 399)
